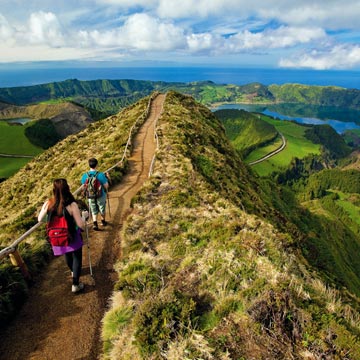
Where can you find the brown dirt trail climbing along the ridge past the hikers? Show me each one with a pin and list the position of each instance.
(55, 324)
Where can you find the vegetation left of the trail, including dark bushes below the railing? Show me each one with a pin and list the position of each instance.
(22, 195)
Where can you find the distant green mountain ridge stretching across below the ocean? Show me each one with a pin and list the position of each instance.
(205, 92)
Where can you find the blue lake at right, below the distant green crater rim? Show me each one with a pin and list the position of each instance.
(340, 119)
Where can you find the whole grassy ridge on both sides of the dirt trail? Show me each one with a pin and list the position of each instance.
(216, 262)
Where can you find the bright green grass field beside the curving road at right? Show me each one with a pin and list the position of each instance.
(296, 146)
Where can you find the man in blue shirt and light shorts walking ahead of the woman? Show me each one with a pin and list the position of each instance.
(97, 200)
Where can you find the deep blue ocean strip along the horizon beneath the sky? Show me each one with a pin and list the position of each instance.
(11, 77)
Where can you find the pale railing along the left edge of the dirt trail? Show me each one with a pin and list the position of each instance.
(12, 248)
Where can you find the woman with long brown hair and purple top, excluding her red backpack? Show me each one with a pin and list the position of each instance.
(63, 204)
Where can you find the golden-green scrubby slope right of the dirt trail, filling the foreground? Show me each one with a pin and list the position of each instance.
(205, 275)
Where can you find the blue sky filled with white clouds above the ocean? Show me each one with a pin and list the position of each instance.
(314, 34)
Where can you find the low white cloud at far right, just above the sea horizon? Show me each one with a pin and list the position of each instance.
(338, 57)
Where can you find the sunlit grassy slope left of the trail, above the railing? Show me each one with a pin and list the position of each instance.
(22, 194)
